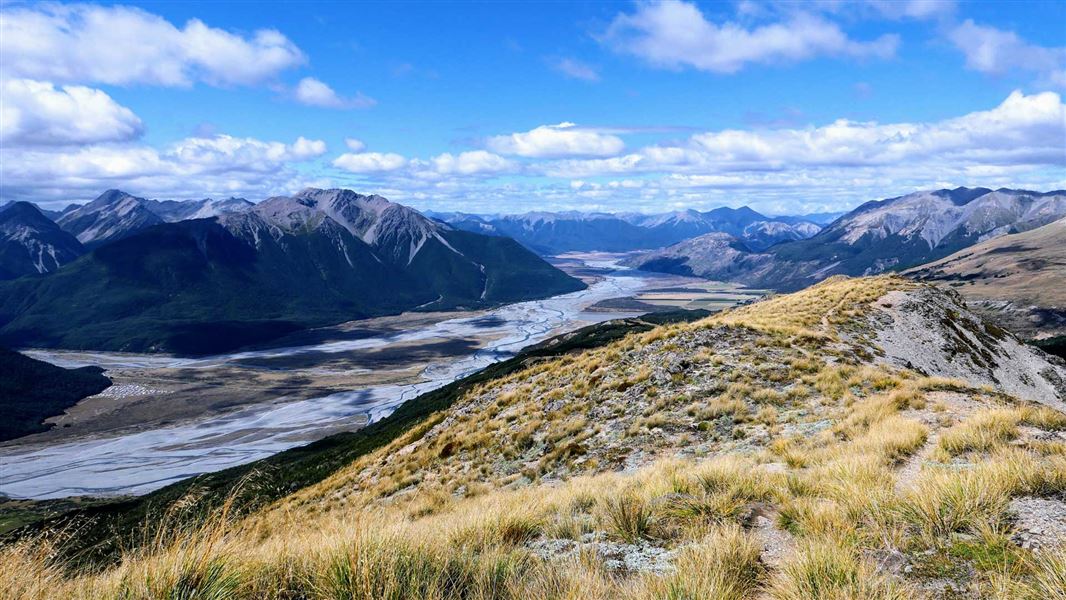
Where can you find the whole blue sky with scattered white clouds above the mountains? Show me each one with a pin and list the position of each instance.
(511, 107)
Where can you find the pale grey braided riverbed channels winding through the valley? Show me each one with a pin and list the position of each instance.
(138, 460)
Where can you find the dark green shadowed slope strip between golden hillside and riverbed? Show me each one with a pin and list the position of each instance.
(106, 529)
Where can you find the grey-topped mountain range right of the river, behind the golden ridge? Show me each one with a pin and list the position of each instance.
(877, 237)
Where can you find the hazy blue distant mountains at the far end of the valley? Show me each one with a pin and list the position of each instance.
(557, 233)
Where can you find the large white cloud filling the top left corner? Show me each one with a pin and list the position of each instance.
(121, 45)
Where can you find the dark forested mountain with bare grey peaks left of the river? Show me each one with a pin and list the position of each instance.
(209, 285)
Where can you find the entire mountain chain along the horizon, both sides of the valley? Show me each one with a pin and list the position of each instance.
(128, 273)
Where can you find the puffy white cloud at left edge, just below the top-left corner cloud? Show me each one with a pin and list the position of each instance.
(37, 113)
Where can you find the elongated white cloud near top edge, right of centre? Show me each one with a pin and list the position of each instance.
(675, 35)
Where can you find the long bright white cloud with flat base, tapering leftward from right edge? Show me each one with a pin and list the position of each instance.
(1022, 131)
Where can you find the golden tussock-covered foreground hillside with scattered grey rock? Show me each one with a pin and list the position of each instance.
(764, 448)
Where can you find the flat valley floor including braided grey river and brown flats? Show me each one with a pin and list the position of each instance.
(170, 418)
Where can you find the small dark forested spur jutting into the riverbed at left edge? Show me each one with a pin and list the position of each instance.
(33, 391)
